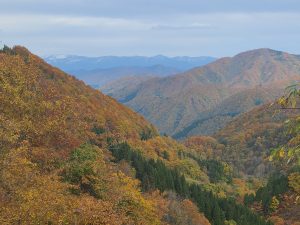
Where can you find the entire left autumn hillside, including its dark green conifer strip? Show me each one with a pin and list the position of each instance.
(71, 155)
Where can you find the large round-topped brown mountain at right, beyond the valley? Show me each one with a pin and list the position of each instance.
(175, 101)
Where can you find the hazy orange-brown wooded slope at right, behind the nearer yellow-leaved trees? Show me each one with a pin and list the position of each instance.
(248, 140)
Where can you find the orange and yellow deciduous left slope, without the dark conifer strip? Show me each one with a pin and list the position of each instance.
(49, 124)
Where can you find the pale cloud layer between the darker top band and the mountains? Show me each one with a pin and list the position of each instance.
(215, 34)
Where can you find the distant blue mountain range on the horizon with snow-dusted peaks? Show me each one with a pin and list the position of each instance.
(98, 71)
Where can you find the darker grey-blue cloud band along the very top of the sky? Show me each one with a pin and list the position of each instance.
(145, 8)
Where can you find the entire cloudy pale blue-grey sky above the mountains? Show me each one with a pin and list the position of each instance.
(150, 27)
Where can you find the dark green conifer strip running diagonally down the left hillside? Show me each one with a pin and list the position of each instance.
(154, 174)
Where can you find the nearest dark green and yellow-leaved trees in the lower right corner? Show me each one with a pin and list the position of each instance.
(279, 198)
